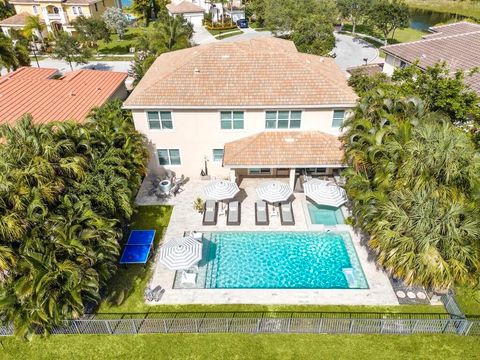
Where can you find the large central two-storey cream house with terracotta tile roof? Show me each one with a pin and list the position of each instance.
(245, 108)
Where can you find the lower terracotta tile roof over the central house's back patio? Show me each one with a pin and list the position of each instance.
(284, 148)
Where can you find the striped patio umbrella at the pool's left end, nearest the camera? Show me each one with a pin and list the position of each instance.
(181, 254)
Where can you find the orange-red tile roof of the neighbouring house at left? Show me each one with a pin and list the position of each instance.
(31, 90)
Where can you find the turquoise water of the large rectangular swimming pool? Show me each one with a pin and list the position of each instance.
(281, 260)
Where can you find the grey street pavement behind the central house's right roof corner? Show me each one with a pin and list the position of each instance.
(352, 52)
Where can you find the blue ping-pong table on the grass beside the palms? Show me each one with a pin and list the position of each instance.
(138, 247)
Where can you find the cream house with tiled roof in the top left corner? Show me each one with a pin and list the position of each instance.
(56, 14)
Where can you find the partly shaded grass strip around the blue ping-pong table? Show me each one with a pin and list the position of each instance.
(125, 290)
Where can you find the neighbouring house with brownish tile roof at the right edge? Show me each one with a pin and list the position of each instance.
(457, 44)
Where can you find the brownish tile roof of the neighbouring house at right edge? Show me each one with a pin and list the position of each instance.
(460, 51)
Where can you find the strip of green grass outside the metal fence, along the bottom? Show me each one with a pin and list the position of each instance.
(243, 346)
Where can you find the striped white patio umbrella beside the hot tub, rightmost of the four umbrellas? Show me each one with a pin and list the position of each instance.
(325, 193)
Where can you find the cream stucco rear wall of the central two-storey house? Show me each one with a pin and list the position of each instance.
(197, 132)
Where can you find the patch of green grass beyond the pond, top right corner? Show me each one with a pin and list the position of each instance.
(466, 7)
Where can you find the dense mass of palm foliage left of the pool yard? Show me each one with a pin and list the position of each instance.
(66, 189)
